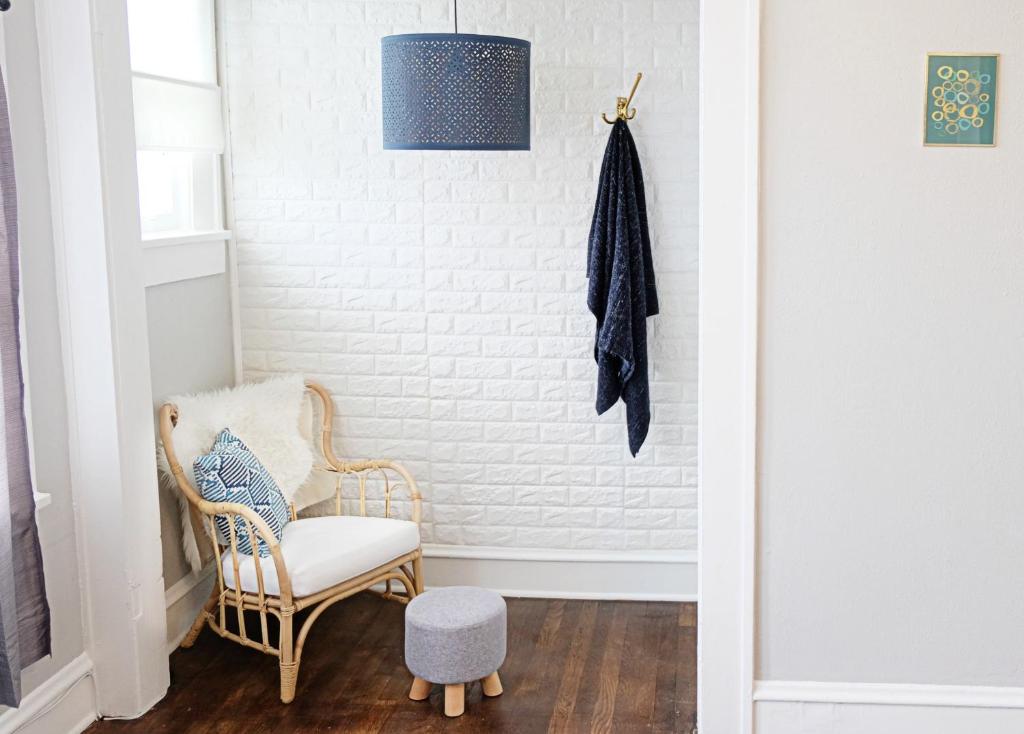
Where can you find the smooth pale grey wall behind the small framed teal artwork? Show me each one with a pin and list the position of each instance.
(891, 437)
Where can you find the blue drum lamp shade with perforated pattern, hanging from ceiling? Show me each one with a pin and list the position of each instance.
(446, 92)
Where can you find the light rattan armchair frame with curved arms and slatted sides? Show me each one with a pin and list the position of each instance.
(279, 600)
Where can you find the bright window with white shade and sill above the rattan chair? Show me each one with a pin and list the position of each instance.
(180, 134)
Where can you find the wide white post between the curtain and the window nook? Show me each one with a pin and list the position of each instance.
(87, 93)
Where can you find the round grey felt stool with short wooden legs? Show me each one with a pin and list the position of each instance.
(455, 635)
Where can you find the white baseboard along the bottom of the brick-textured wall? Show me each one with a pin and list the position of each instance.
(641, 576)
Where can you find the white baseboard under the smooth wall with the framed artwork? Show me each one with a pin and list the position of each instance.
(816, 708)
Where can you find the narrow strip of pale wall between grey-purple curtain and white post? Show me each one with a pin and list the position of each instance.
(41, 343)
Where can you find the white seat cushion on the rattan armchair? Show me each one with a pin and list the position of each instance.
(321, 552)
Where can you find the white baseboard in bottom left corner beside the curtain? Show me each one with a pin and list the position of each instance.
(65, 703)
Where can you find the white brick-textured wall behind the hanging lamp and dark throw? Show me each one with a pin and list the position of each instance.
(441, 296)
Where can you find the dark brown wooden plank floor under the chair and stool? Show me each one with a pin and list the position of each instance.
(572, 667)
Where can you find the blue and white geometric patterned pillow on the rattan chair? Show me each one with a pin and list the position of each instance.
(232, 473)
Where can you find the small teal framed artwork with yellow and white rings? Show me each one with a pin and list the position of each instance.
(962, 98)
